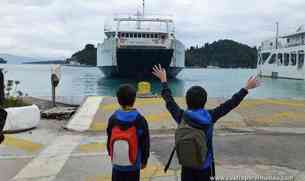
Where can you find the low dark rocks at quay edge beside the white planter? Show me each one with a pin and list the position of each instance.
(59, 113)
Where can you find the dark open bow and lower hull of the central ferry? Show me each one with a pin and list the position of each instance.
(138, 63)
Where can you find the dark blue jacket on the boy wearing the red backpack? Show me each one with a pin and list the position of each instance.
(122, 118)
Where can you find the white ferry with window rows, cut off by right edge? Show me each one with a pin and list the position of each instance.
(283, 56)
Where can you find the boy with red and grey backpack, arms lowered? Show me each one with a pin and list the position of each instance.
(128, 142)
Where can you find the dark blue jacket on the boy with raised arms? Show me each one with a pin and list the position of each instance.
(205, 118)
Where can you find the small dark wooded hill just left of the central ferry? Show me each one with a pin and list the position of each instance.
(87, 56)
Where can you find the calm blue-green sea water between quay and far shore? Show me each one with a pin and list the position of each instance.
(80, 81)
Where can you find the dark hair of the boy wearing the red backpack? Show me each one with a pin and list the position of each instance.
(126, 95)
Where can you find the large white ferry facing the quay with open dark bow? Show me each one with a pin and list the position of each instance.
(133, 44)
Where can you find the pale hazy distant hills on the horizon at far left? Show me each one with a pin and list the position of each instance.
(15, 59)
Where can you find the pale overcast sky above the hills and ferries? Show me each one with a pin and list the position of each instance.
(58, 28)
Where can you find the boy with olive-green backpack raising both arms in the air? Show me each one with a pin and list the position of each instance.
(193, 138)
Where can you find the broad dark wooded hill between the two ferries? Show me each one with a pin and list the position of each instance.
(222, 53)
